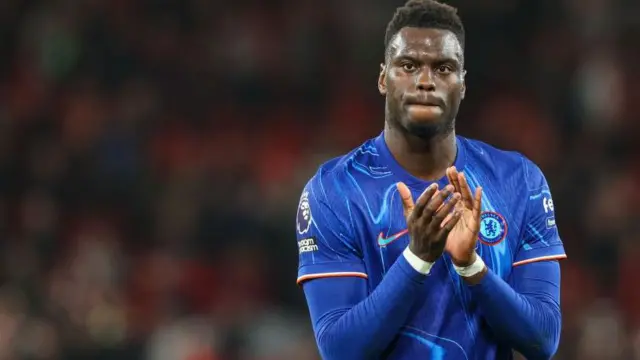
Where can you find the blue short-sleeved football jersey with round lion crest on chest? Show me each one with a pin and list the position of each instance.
(350, 222)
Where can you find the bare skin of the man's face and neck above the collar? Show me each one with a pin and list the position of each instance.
(422, 65)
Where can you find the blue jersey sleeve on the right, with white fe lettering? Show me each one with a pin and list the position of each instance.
(540, 239)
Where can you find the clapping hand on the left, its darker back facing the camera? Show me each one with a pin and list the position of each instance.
(425, 218)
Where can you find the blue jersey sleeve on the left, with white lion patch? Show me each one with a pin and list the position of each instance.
(326, 244)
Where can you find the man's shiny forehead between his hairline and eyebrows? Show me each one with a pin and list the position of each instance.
(426, 42)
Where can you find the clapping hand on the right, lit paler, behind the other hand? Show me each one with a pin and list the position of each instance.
(461, 242)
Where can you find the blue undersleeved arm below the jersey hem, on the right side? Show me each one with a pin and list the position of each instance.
(528, 316)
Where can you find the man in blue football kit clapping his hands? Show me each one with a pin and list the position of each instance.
(469, 270)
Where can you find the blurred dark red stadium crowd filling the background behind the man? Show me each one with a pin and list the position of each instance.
(152, 153)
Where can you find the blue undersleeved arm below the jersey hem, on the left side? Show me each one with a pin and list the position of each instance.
(364, 329)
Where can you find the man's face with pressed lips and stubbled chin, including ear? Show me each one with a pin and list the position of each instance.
(423, 81)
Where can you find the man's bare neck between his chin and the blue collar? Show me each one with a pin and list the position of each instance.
(426, 159)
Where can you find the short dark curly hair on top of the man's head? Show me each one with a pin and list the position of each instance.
(425, 14)
